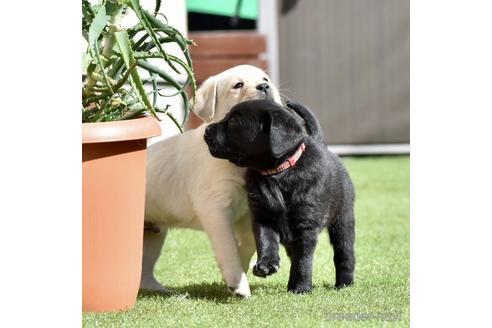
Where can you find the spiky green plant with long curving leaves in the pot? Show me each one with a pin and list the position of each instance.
(116, 64)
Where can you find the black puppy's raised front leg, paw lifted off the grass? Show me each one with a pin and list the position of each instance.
(267, 243)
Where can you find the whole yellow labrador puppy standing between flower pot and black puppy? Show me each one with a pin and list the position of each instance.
(188, 188)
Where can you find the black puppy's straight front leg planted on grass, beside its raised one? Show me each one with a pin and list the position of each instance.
(301, 252)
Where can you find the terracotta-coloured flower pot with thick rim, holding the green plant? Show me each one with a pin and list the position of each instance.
(114, 158)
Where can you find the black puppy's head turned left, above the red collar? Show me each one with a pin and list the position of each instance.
(258, 134)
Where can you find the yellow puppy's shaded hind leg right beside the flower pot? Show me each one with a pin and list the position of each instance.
(152, 246)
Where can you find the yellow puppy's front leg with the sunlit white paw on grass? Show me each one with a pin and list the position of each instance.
(218, 225)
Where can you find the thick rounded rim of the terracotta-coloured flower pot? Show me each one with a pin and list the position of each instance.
(134, 129)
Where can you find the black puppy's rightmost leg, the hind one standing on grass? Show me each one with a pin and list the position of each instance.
(342, 235)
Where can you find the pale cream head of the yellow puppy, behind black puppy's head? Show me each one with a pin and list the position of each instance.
(220, 92)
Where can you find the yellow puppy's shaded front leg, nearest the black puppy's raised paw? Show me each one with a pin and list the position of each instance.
(246, 240)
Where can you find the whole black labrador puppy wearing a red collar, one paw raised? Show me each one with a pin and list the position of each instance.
(296, 187)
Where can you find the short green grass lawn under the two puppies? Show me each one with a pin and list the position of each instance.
(382, 271)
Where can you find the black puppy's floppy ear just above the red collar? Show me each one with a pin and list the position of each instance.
(285, 133)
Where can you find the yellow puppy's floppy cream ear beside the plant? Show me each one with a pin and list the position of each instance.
(206, 99)
